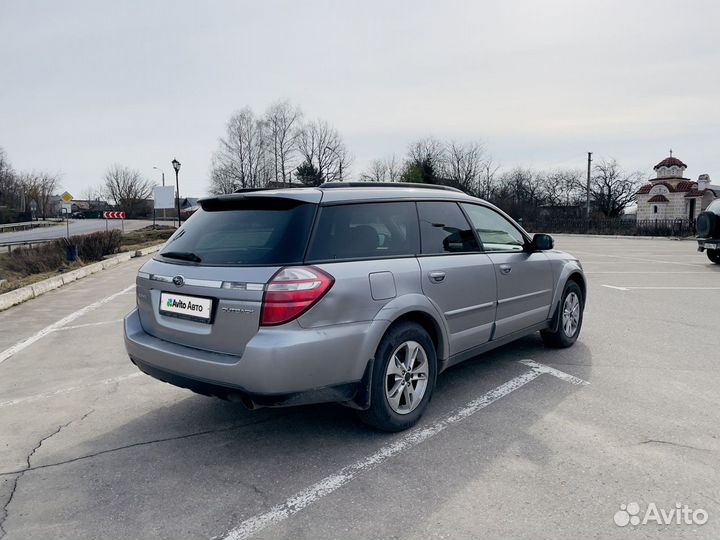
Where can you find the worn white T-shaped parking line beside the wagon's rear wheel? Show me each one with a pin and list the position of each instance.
(329, 484)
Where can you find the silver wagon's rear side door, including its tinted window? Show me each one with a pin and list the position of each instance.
(455, 275)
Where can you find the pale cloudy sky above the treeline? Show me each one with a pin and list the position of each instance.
(87, 84)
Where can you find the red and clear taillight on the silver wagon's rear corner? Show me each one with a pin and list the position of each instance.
(291, 292)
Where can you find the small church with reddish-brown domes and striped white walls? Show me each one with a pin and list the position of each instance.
(672, 196)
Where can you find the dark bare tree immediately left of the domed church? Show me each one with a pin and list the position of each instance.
(611, 188)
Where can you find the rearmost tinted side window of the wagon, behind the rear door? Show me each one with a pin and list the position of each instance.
(361, 231)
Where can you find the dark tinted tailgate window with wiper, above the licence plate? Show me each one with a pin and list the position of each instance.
(243, 232)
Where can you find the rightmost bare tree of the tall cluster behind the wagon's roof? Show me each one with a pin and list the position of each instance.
(322, 148)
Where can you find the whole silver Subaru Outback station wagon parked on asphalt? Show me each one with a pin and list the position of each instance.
(356, 293)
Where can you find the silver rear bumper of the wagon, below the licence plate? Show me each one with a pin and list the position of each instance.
(280, 366)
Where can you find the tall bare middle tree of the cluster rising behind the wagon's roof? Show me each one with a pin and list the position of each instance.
(281, 121)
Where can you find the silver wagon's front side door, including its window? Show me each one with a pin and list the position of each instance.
(524, 278)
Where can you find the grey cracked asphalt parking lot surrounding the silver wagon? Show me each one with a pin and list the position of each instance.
(90, 448)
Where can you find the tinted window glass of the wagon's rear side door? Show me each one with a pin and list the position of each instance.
(444, 229)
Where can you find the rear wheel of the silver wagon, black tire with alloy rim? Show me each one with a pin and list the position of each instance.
(391, 371)
